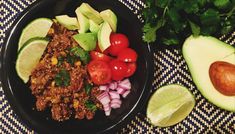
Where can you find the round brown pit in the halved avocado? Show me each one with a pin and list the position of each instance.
(222, 75)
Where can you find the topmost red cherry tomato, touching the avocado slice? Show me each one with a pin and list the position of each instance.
(118, 43)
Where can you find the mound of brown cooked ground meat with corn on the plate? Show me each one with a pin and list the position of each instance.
(58, 82)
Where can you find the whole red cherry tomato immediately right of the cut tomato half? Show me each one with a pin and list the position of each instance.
(118, 69)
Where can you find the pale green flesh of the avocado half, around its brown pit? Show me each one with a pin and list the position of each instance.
(199, 53)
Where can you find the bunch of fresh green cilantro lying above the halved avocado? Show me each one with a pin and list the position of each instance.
(171, 21)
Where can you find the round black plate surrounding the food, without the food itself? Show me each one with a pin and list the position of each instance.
(19, 94)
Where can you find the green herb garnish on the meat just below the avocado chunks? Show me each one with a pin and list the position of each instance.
(81, 53)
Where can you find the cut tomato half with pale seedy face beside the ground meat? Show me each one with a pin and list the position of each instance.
(100, 72)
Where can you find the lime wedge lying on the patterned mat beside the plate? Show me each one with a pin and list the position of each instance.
(169, 105)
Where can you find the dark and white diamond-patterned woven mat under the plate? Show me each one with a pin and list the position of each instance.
(170, 67)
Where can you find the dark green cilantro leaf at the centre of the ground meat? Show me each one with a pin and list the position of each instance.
(62, 78)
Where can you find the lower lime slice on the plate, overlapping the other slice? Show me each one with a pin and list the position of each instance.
(29, 56)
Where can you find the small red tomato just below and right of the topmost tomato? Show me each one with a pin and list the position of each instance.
(127, 55)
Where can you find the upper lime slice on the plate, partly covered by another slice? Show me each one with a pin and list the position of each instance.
(37, 28)
